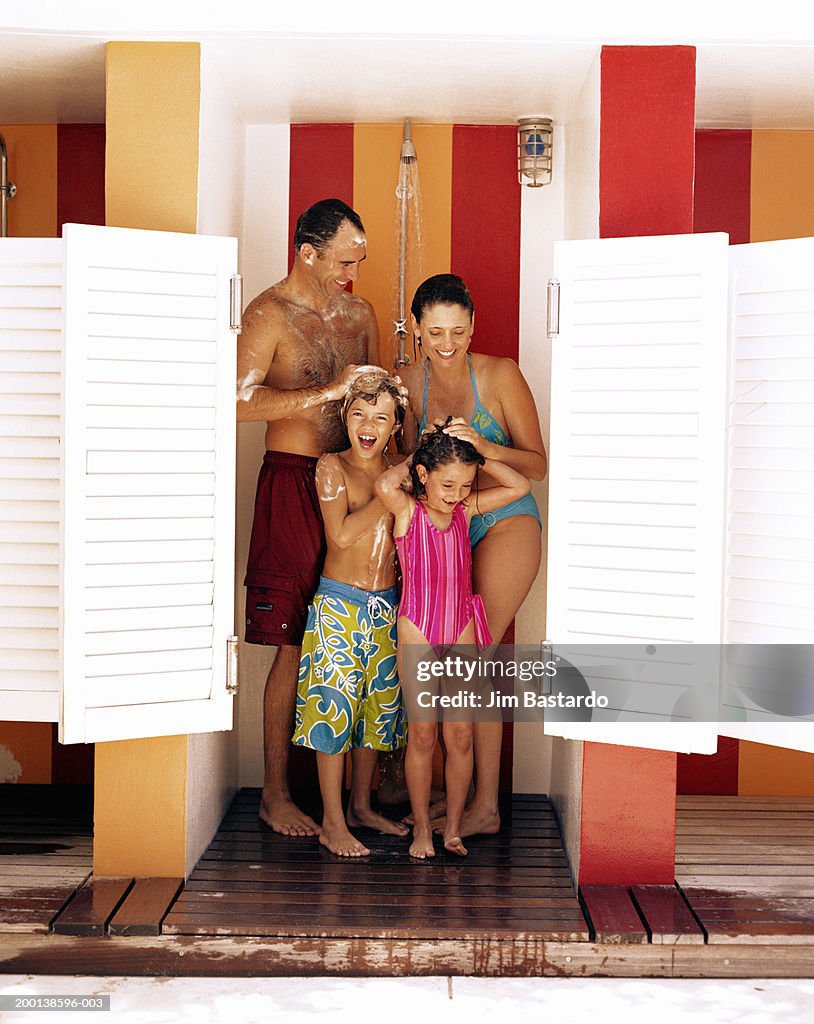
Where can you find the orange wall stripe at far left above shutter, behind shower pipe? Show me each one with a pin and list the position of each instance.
(32, 166)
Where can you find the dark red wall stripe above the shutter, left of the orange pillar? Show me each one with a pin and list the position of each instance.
(80, 179)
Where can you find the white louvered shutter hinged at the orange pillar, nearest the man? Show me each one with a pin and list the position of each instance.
(149, 483)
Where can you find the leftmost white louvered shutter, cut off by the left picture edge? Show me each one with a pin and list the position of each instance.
(31, 353)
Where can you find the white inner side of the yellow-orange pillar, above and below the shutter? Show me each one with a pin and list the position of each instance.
(212, 757)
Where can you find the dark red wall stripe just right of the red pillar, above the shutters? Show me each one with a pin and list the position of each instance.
(723, 184)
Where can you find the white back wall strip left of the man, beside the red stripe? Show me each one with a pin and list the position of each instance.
(265, 258)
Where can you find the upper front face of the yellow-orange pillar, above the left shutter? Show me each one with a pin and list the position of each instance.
(153, 112)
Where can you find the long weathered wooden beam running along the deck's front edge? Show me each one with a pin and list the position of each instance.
(359, 957)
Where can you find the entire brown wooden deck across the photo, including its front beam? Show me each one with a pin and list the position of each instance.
(263, 905)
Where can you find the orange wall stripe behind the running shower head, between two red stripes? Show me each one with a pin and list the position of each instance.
(376, 163)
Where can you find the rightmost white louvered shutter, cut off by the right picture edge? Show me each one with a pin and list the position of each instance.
(770, 538)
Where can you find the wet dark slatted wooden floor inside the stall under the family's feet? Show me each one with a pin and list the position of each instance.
(251, 882)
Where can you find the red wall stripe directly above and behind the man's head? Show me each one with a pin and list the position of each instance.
(321, 167)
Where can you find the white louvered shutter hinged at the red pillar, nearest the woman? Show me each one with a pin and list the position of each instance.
(637, 480)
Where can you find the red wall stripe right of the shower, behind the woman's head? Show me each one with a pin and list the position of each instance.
(486, 232)
